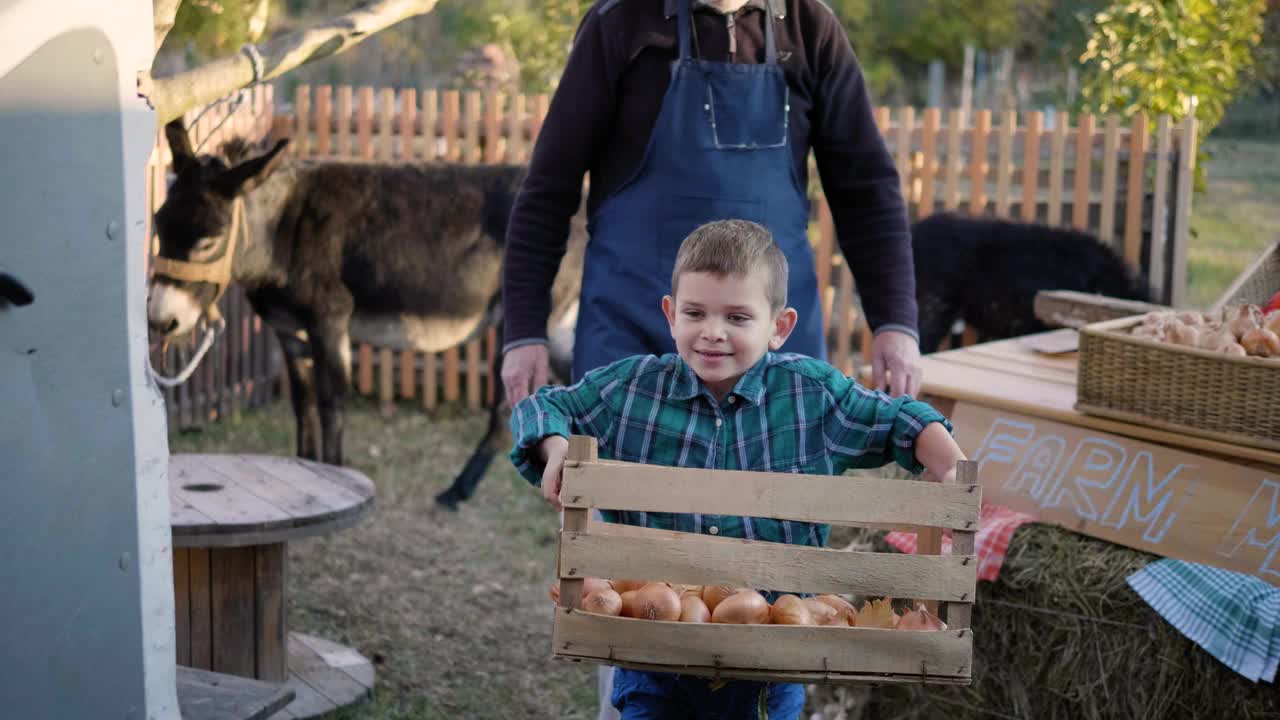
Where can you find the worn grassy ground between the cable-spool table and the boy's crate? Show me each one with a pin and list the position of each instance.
(452, 608)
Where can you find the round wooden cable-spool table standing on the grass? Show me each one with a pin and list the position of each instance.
(232, 517)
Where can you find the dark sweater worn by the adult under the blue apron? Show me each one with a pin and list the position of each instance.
(605, 110)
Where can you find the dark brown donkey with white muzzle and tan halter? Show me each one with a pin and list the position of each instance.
(403, 257)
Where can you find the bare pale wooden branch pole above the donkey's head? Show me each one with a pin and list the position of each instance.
(175, 95)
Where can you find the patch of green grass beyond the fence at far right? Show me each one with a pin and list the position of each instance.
(1236, 218)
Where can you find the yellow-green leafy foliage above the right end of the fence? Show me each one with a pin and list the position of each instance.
(1156, 56)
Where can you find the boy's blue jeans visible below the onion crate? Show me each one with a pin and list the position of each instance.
(664, 696)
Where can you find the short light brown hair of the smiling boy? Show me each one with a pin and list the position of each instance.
(734, 248)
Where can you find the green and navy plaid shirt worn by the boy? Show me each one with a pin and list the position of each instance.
(788, 414)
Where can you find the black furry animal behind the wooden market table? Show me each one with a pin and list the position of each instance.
(988, 272)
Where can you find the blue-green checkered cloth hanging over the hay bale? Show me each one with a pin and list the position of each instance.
(1232, 616)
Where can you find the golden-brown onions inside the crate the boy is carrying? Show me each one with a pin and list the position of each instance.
(671, 603)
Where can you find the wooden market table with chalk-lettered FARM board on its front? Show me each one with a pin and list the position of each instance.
(1164, 493)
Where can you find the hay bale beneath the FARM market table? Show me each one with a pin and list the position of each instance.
(1062, 636)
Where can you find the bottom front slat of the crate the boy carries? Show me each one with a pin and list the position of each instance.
(762, 648)
